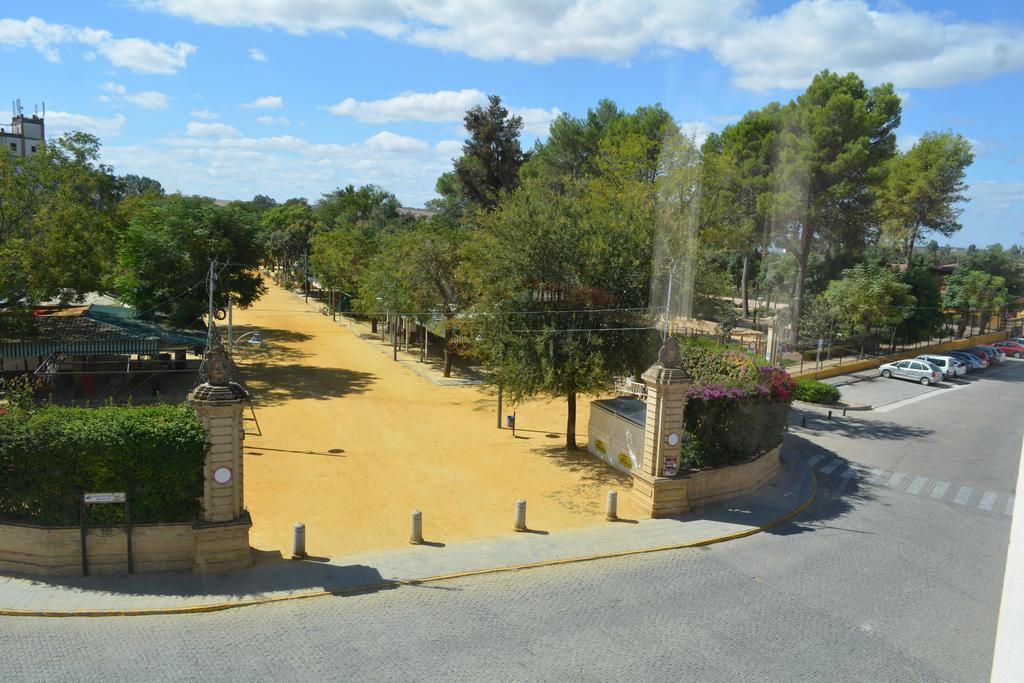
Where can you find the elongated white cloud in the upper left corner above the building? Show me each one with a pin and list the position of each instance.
(136, 55)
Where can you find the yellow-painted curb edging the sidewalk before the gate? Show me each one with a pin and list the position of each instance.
(221, 607)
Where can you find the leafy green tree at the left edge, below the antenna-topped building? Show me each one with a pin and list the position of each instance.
(59, 222)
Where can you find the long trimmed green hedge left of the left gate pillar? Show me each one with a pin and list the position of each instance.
(50, 456)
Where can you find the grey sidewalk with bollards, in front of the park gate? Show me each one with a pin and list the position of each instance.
(165, 593)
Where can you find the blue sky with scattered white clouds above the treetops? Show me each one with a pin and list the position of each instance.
(295, 98)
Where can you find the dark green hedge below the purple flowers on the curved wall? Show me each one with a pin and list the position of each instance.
(721, 432)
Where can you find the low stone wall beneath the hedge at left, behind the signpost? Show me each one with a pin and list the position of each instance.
(57, 551)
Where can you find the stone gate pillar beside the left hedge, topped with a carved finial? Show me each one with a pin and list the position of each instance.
(219, 404)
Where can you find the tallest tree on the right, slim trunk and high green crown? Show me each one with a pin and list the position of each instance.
(835, 142)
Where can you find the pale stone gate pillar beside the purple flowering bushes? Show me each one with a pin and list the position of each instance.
(657, 490)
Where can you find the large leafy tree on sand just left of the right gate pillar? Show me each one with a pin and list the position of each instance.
(560, 273)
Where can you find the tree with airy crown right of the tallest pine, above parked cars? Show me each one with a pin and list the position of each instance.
(922, 191)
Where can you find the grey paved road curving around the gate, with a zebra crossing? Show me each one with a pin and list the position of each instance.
(888, 576)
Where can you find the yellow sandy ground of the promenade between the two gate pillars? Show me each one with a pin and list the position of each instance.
(354, 442)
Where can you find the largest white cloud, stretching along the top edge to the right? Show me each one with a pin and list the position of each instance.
(910, 48)
